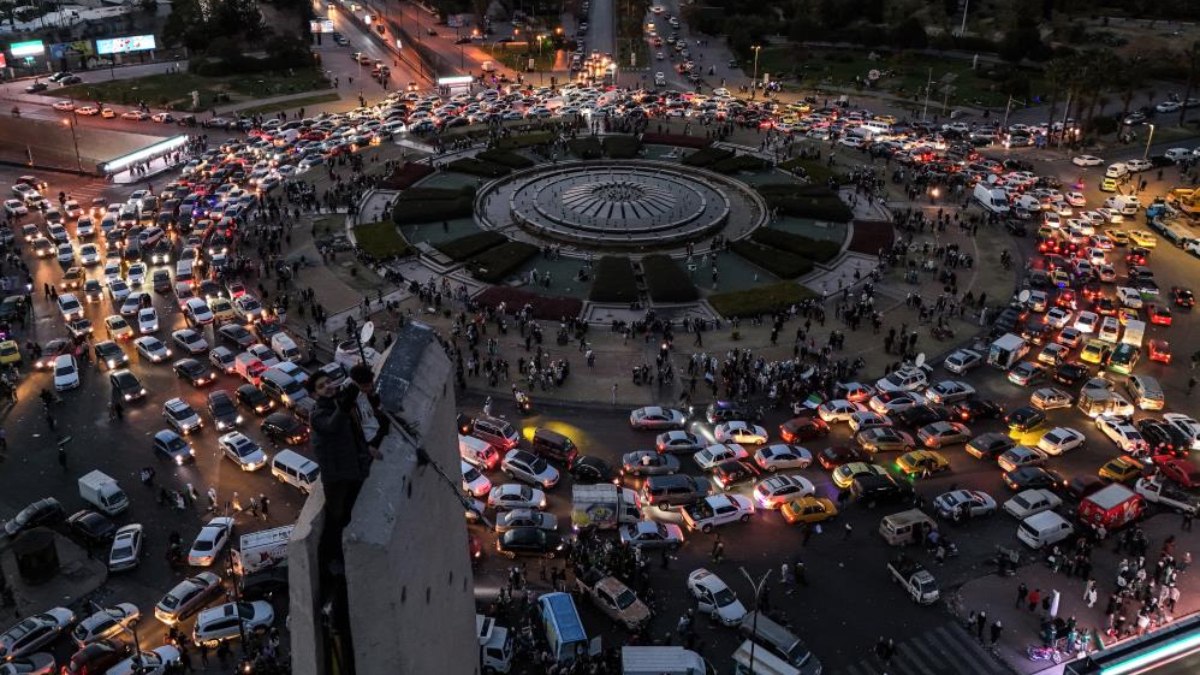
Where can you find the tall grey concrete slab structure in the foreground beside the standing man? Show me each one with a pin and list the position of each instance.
(409, 570)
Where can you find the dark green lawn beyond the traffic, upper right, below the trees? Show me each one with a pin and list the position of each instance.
(909, 74)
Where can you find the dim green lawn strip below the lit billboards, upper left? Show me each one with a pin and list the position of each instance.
(175, 91)
